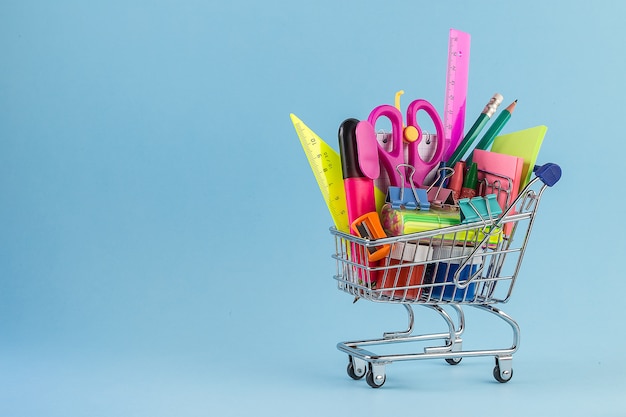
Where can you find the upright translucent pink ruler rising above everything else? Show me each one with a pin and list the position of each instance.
(456, 90)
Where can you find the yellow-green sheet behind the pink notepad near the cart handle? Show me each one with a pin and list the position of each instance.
(524, 144)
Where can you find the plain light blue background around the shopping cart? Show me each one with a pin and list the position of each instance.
(163, 244)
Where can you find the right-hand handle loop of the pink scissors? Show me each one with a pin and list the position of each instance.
(423, 168)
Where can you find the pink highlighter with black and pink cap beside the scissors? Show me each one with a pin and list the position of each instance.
(359, 165)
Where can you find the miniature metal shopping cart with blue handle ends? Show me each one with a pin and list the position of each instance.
(471, 264)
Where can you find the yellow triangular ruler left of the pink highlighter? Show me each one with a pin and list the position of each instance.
(326, 165)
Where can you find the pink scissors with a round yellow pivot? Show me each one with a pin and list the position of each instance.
(412, 133)
